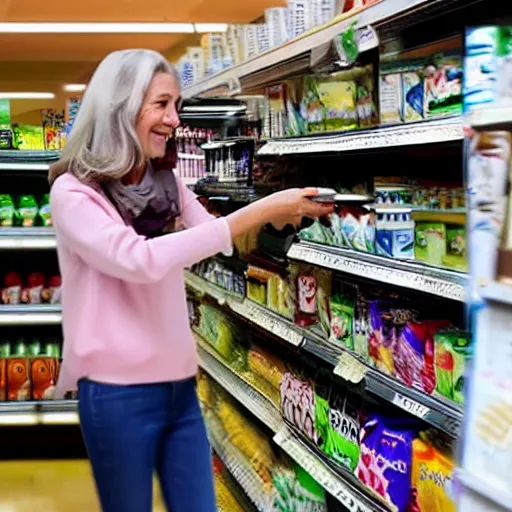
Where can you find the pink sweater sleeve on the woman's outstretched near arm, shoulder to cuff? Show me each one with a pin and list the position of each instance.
(84, 224)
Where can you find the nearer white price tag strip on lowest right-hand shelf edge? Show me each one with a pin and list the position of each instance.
(334, 484)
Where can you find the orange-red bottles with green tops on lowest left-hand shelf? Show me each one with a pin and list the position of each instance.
(29, 369)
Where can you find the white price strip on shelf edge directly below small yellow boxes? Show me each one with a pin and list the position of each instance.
(269, 321)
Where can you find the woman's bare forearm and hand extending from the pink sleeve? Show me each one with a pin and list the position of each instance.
(285, 207)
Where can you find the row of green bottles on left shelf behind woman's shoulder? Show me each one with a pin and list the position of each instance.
(25, 211)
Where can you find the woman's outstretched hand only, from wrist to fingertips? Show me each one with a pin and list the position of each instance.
(290, 206)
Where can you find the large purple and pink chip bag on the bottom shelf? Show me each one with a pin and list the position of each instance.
(385, 463)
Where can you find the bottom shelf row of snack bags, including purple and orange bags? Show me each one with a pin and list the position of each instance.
(342, 435)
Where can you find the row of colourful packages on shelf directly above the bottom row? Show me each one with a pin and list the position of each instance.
(409, 340)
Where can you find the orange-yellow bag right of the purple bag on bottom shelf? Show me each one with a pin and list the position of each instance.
(431, 478)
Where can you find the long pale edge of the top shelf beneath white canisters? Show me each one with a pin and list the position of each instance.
(375, 14)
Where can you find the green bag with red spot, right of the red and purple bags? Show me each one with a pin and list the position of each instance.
(453, 350)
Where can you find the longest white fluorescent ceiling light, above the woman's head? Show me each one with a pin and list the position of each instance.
(96, 28)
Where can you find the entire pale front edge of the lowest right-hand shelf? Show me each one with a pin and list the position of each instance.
(341, 485)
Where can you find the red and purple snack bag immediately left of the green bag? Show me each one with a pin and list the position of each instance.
(413, 355)
